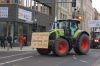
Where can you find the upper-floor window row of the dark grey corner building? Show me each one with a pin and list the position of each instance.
(30, 4)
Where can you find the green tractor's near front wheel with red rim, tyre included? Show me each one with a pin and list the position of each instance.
(60, 47)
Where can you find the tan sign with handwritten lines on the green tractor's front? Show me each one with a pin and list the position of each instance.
(40, 40)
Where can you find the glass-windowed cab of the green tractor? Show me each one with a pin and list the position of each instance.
(69, 26)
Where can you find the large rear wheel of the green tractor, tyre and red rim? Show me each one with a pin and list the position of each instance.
(82, 45)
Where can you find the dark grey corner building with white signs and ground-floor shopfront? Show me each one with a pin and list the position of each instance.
(21, 17)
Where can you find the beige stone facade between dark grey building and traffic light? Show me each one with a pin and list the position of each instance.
(63, 9)
